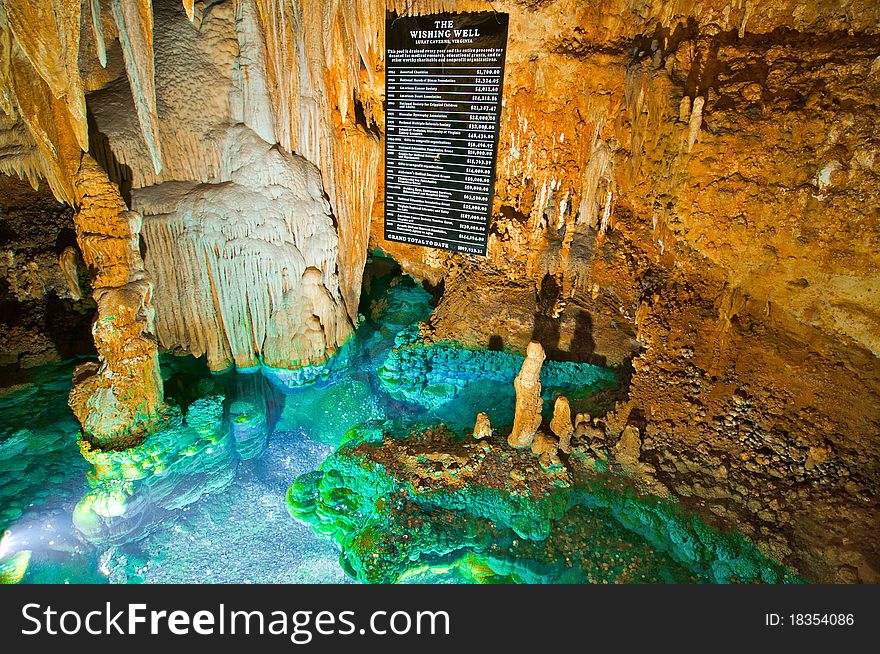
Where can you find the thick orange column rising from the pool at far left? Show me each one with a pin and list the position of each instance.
(117, 399)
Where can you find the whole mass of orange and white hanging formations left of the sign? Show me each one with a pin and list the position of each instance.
(185, 95)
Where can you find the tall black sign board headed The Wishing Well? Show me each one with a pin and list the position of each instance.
(443, 79)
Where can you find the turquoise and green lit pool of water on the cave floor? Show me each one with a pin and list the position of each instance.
(204, 498)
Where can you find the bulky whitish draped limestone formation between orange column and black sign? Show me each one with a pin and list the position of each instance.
(244, 276)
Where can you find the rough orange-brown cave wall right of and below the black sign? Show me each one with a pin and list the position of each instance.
(691, 190)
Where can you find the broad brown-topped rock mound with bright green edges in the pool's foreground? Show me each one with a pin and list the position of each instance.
(411, 502)
